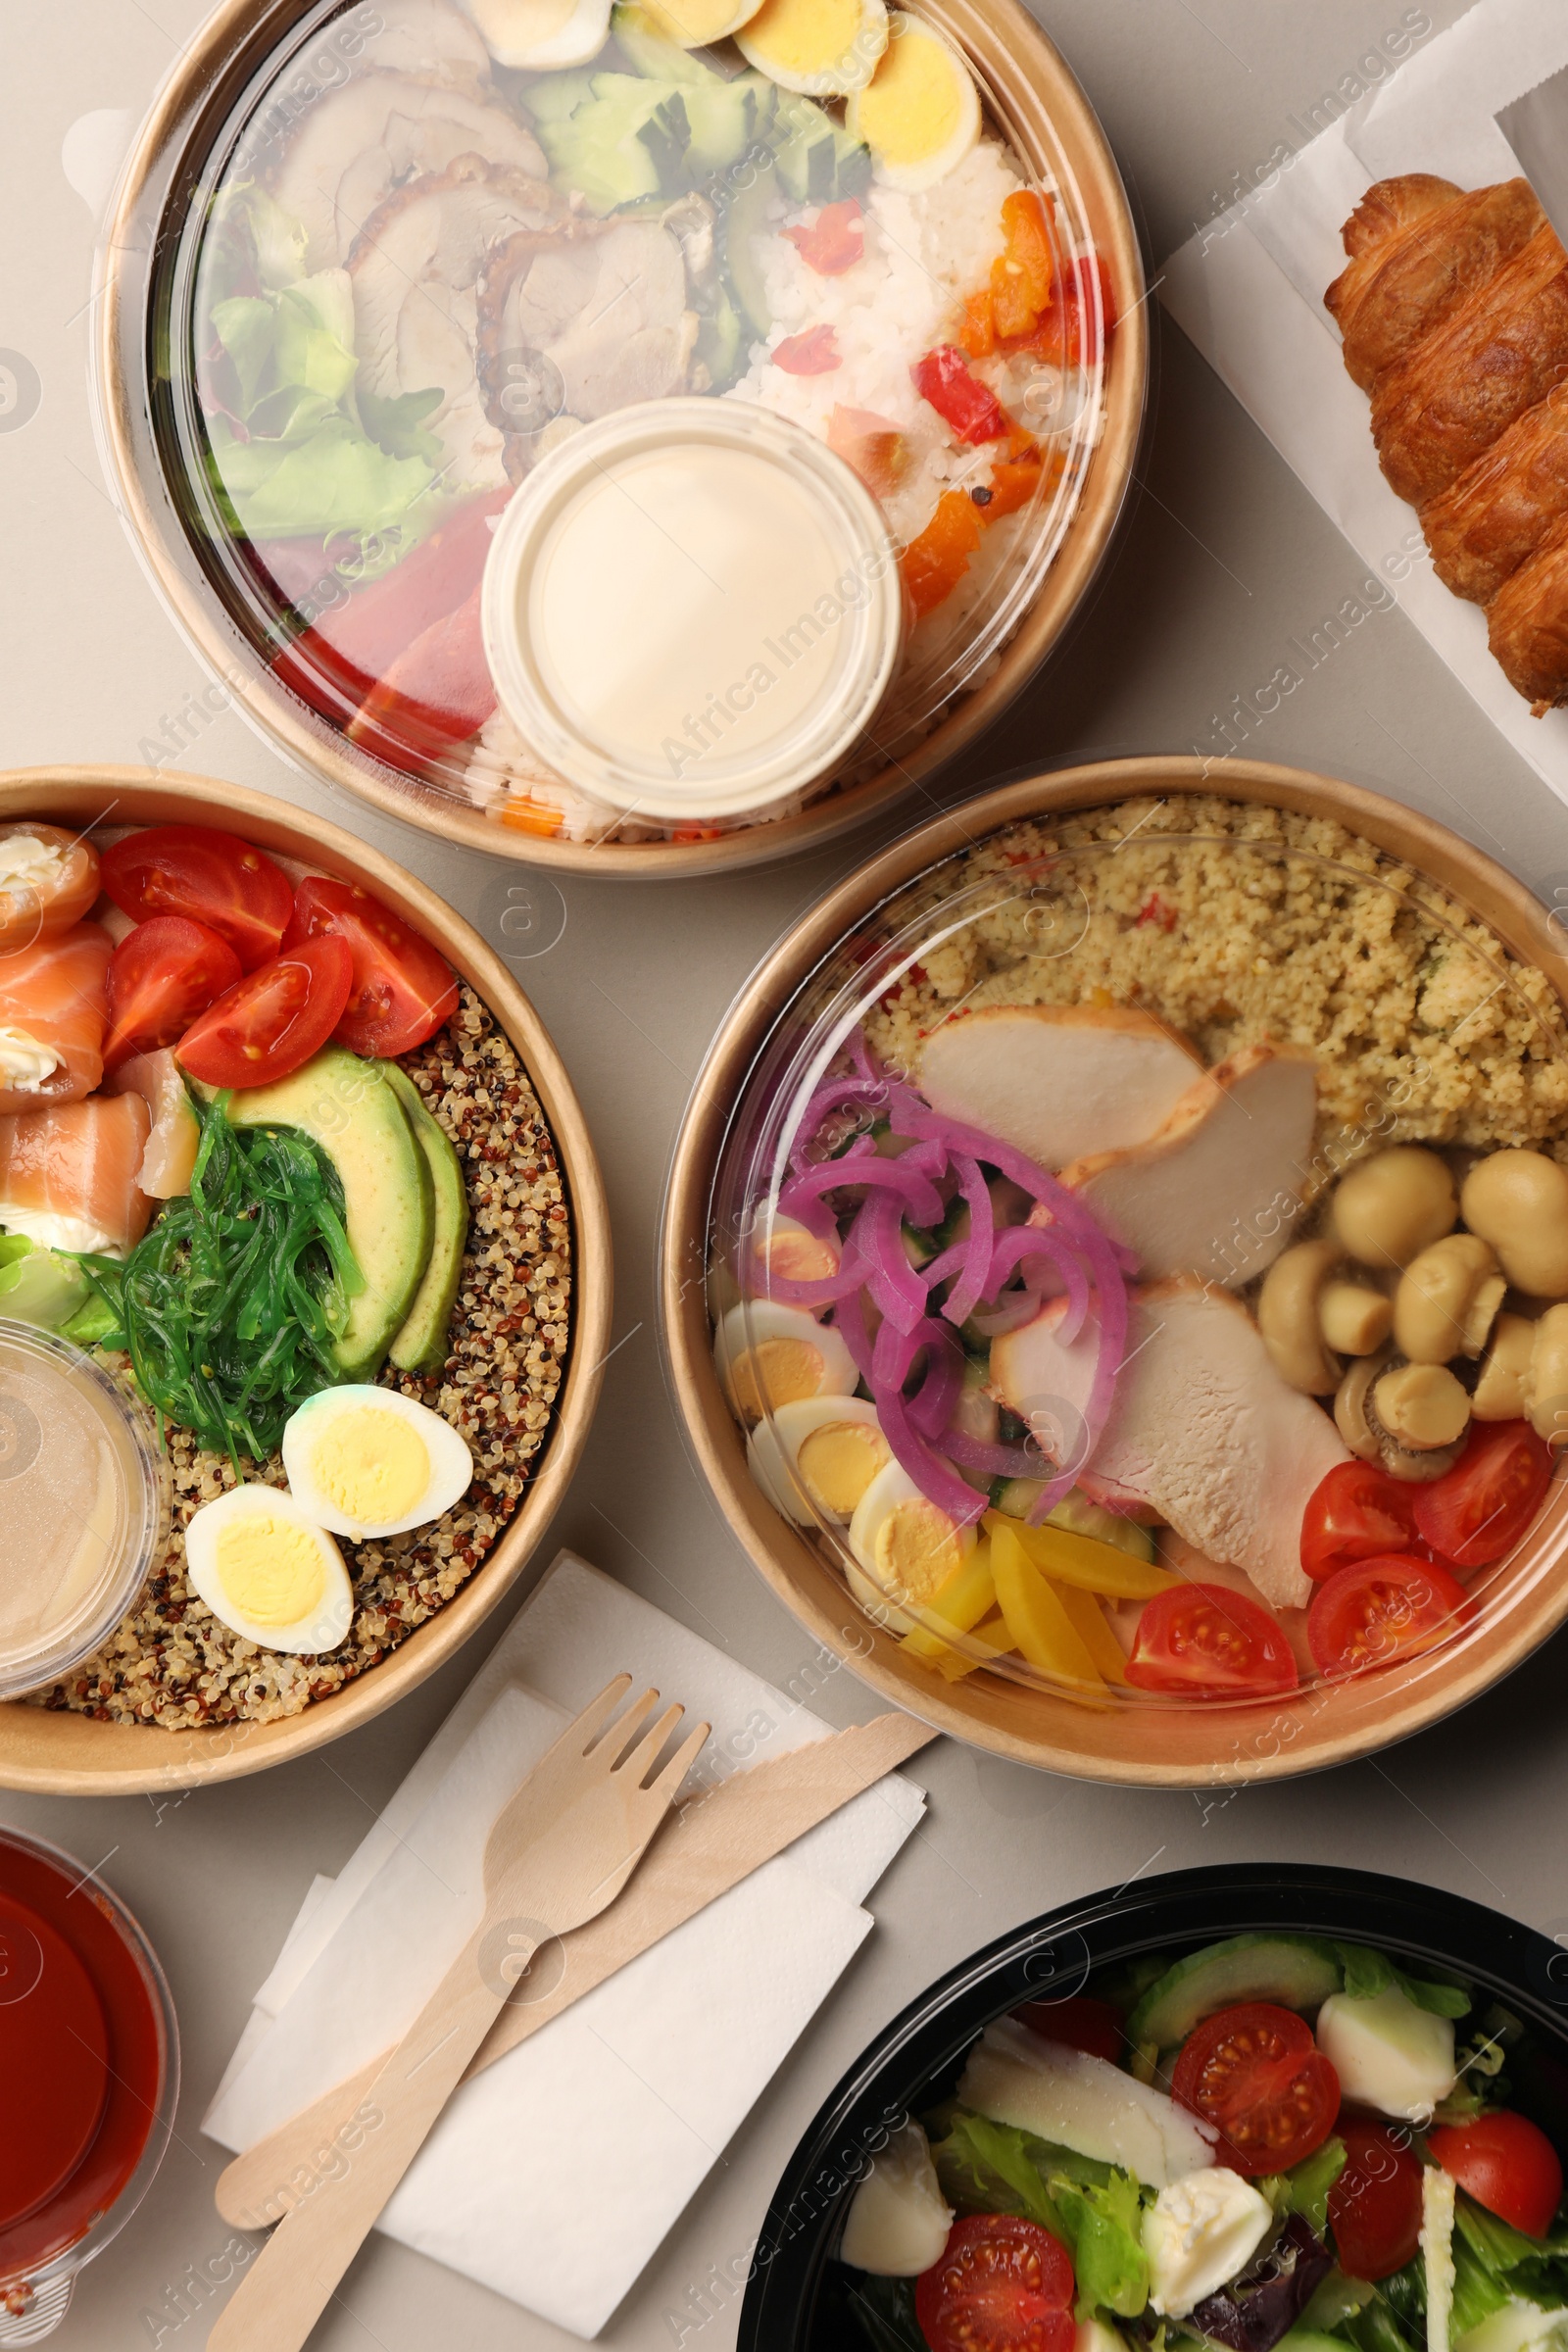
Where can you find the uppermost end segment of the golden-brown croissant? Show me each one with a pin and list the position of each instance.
(1419, 248)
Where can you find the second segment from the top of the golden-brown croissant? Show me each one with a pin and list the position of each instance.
(1461, 387)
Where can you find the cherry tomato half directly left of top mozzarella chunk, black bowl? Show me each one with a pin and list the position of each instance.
(1259, 2076)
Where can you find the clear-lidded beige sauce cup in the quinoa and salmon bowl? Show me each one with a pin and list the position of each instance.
(86, 1506)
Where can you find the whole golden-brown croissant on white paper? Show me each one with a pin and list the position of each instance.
(1454, 314)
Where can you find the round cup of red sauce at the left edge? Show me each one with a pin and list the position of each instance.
(81, 2059)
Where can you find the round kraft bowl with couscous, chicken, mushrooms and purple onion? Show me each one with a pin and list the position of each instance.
(1139, 1264)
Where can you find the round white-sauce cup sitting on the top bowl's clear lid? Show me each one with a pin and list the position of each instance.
(692, 608)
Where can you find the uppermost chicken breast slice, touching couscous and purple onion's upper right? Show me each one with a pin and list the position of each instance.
(1059, 1081)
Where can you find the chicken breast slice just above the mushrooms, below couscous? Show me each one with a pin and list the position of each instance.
(1217, 1191)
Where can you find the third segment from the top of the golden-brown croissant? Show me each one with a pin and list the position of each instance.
(1503, 507)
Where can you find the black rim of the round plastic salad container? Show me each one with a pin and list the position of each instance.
(796, 2297)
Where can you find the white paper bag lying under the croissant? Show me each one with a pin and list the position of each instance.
(1249, 290)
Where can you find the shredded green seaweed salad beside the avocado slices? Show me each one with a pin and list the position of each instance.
(232, 1302)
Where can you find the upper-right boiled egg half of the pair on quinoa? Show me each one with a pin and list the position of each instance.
(370, 1462)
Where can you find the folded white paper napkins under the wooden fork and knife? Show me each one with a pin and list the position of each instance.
(643, 2083)
